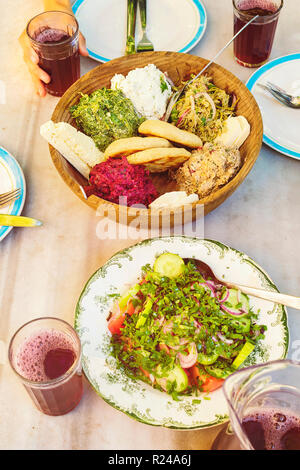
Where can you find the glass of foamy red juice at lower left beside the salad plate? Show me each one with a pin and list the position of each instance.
(45, 354)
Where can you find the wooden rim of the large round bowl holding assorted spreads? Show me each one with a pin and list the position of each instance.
(209, 202)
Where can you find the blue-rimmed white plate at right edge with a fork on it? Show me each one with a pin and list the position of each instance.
(281, 124)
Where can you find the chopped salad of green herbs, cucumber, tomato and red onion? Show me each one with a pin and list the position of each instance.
(180, 332)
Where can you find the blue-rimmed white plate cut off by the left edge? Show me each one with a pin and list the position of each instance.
(11, 177)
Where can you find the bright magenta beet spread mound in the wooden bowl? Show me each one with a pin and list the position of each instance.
(115, 178)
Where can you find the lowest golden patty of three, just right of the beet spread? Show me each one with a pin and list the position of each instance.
(157, 160)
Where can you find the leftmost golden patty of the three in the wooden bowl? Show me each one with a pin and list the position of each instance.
(127, 146)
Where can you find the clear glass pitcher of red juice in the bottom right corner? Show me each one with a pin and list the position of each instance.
(264, 408)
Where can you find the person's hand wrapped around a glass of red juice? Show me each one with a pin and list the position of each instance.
(31, 58)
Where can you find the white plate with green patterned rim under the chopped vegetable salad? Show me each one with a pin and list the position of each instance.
(135, 397)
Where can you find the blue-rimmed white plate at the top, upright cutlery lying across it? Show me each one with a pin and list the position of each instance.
(172, 25)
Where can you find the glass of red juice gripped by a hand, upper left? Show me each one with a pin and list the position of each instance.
(54, 36)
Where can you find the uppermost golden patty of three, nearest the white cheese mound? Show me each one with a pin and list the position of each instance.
(169, 131)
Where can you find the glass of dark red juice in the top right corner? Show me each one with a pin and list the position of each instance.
(253, 46)
